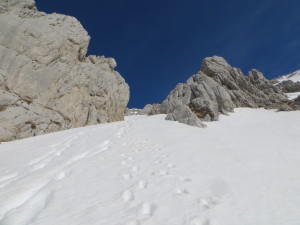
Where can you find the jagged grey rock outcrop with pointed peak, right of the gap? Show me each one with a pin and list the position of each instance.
(219, 88)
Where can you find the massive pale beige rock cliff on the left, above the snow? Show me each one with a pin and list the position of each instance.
(46, 81)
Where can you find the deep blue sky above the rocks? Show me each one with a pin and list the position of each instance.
(159, 43)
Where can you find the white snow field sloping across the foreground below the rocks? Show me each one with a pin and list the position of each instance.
(241, 170)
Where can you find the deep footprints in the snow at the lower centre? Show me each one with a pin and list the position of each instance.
(143, 211)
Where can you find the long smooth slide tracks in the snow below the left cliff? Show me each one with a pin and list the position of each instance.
(21, 206)
